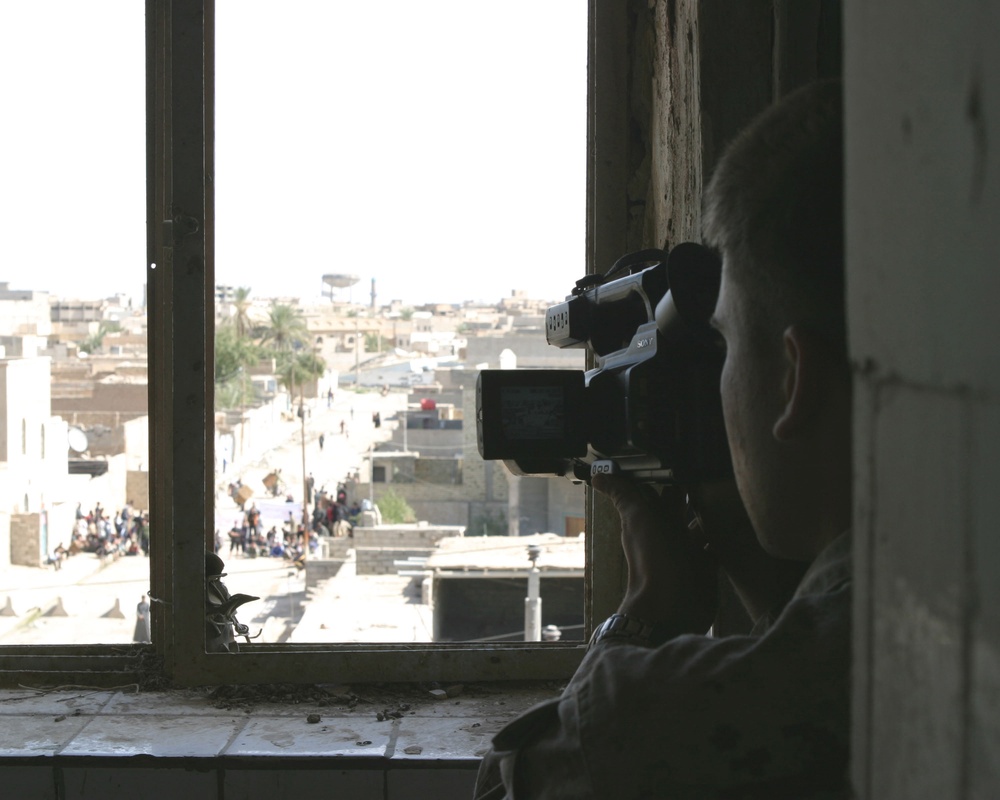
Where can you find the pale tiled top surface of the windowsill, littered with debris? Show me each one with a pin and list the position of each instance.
(66, 725)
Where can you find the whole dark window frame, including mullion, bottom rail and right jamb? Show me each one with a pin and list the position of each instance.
(180, 304)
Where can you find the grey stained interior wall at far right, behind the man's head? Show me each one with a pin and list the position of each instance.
(923, 244)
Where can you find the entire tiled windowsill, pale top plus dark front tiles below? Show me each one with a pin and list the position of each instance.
(88, 743)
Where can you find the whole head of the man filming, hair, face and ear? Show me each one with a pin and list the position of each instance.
(774, 211)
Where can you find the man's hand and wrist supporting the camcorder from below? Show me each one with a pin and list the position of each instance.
(671, 579)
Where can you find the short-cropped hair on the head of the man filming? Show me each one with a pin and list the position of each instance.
(774, 210)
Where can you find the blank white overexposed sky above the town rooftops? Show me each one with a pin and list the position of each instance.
(438, 147)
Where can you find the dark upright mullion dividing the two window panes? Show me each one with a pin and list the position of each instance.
(181, 289)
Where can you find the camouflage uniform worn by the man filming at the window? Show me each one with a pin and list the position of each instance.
(762, 716)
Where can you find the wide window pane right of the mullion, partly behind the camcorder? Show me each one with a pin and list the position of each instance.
(399, 197)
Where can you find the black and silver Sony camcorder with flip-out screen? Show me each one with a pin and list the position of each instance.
(650, 407)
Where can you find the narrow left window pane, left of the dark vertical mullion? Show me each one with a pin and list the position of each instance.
(73, 433)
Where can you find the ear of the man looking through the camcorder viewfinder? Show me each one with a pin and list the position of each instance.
(802, 389)
